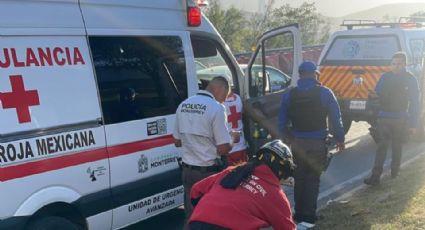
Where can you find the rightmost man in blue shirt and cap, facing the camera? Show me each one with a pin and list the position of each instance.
(398, 95)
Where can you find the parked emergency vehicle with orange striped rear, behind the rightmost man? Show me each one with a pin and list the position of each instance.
(353, 60)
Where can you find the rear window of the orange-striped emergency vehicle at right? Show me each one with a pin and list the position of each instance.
(361, 50)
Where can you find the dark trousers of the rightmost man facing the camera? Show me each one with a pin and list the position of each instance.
(390, 131)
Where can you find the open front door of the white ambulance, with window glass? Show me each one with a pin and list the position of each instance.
(278, 52)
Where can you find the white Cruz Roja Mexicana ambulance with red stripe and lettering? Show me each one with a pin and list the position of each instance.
(88, 94)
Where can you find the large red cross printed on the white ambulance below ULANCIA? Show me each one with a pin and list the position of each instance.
(19, 98)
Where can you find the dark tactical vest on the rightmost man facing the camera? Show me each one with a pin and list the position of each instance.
(394, 96)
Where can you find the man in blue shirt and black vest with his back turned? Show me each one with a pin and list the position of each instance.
(303, 120)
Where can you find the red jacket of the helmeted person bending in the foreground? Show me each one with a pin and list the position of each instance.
(256, 204)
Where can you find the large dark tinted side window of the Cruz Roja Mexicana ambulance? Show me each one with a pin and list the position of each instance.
(139, 77)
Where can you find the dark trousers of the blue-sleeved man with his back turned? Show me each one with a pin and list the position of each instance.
(310, 157)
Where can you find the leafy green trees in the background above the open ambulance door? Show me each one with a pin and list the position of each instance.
(241, 30)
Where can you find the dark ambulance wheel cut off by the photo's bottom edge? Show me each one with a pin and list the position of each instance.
(53, 223)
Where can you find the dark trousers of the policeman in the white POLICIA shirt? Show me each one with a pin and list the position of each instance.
(190, 177)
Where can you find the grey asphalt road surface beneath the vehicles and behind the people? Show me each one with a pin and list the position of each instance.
(345, 173)
